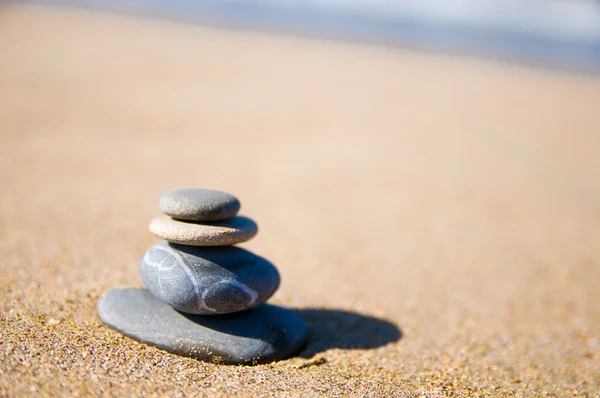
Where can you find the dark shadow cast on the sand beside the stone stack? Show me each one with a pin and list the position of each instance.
(331, 328)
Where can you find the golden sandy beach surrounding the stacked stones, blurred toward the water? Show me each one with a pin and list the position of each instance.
(435, 219)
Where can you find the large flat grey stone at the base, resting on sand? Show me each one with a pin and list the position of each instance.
(264, 334)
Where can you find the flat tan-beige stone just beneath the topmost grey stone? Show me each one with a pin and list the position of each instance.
(223, 233)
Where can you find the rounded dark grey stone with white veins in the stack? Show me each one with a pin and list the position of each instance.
(208, 280)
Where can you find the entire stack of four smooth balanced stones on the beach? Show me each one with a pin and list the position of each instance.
(205, 297)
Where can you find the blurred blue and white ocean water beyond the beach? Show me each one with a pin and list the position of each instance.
(564, 33)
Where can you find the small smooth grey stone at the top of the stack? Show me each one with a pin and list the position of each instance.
(199, 205)
